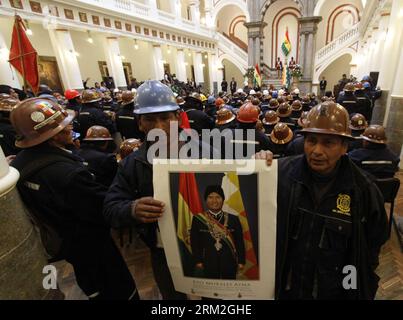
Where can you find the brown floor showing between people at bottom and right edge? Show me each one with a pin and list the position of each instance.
(137, 257)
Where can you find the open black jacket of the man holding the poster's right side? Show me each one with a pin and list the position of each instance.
(368, 220)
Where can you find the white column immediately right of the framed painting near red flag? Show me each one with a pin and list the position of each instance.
(66, 57)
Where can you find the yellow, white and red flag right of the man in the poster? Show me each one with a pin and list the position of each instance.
(234, 205)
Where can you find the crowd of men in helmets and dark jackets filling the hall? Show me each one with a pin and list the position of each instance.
(79, 182)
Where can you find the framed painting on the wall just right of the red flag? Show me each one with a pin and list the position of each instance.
(49, 73)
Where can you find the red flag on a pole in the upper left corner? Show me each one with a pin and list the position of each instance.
(23, 56)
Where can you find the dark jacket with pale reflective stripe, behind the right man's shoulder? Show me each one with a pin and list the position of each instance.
(380, 161)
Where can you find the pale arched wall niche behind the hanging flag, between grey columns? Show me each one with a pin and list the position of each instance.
(287, 21)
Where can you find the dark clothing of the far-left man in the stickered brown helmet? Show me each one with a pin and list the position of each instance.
(66, 194)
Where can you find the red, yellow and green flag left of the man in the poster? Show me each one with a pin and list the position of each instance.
(189, 204)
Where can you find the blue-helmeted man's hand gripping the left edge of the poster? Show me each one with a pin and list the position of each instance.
(147, 210)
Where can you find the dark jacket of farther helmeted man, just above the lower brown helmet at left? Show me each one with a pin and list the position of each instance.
(92, 116)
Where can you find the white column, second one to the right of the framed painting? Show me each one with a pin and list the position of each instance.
(114, 62)
